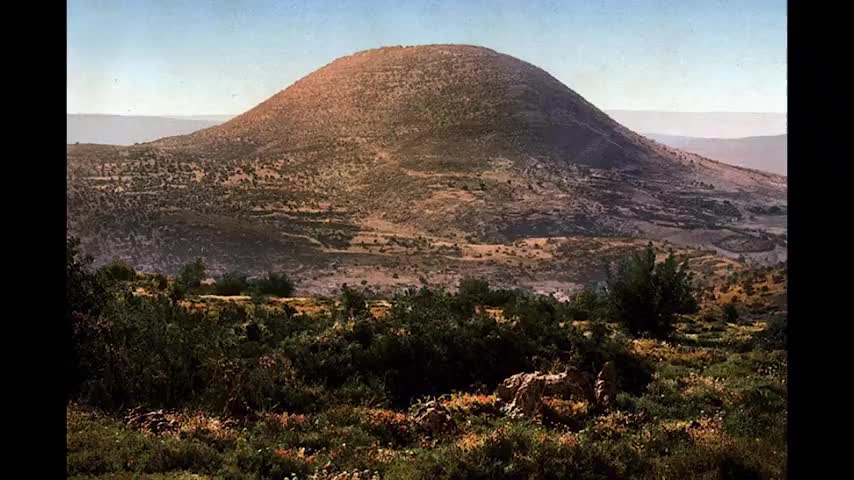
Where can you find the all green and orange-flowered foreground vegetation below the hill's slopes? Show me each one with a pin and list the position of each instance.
(259, 389)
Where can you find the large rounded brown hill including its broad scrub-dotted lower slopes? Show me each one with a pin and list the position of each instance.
(426, 150)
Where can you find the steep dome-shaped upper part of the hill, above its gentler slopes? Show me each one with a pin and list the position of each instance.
(438, 103)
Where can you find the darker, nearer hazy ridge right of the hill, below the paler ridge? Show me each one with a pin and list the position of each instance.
(767, 153)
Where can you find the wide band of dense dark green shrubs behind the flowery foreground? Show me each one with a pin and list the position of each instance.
(154, 351)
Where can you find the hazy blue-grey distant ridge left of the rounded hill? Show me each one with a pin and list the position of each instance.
(127, 130)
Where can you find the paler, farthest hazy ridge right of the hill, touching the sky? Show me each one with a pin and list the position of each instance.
(703, 124)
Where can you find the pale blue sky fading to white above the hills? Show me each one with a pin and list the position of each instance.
(179, 57)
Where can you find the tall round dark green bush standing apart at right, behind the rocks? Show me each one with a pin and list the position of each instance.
(646, 296)
